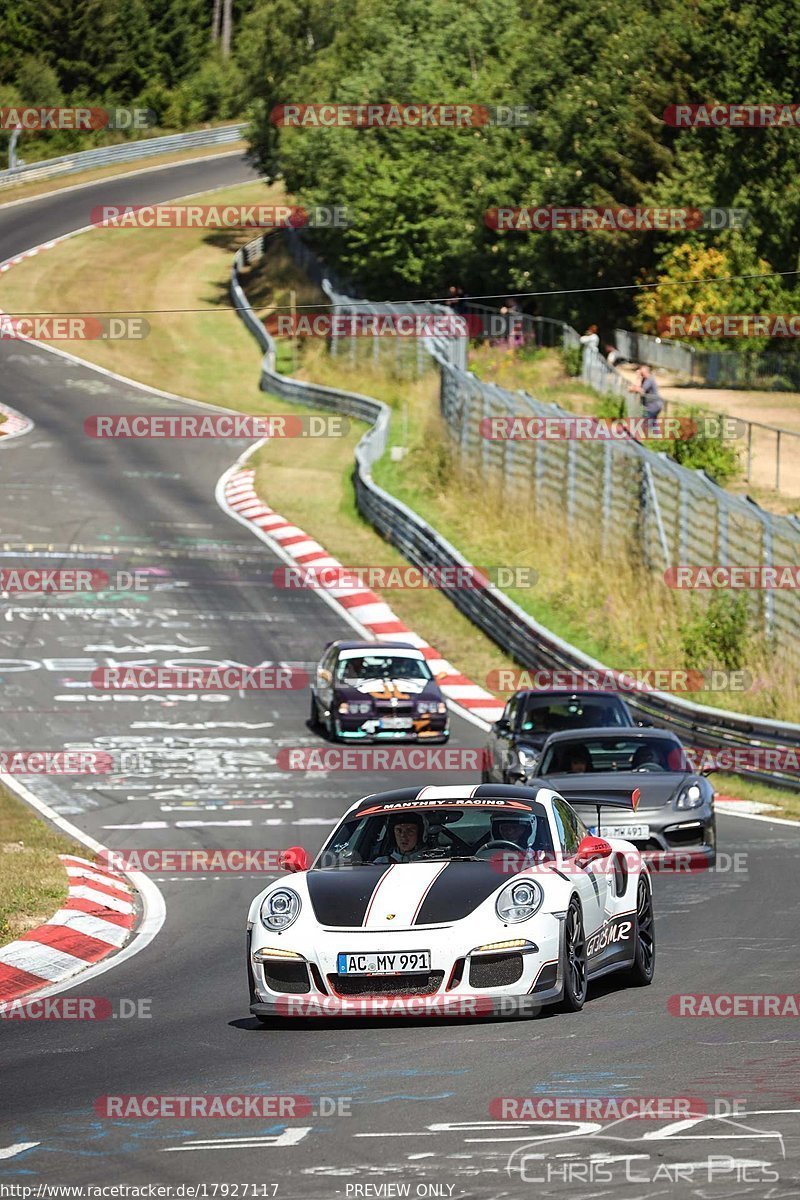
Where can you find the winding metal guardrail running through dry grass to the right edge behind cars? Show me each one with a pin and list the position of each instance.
(522, 638)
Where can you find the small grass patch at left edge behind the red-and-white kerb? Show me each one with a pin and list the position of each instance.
(33, 881)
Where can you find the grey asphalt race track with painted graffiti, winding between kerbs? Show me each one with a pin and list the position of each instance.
(419, 1093)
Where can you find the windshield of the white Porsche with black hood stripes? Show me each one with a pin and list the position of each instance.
(429, 833)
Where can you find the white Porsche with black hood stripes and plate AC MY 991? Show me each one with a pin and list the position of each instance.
(428, 897)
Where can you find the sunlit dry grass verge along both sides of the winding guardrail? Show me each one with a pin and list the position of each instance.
(611, 610)
